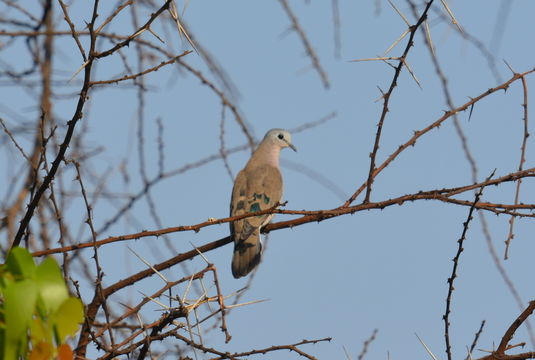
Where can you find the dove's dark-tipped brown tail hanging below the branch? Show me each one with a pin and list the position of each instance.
(247, 253)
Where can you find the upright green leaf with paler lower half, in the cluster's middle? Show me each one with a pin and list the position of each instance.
(51, 286)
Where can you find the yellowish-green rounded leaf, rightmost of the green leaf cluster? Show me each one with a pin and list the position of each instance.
(68, 317)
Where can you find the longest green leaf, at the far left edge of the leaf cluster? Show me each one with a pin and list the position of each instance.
(19, 303)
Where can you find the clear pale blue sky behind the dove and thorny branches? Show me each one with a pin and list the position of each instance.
(344, 277)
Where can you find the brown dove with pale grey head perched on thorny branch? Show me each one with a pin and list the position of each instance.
(258, 186)
